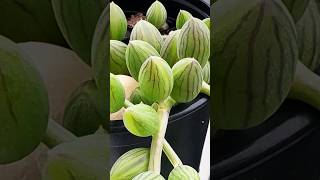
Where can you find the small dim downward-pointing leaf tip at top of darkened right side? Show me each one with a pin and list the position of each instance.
(296, 7)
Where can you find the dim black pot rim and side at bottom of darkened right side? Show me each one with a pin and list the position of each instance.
(271, 150)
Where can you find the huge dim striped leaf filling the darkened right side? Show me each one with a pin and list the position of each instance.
(255, 57)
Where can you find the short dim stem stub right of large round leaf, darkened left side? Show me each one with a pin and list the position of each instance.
(56, 134)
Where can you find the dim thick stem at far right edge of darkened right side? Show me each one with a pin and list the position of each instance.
(306, 86)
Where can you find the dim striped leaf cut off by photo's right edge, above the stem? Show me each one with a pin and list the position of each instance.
(308, 28)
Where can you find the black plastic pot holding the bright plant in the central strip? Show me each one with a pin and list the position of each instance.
(188, 123)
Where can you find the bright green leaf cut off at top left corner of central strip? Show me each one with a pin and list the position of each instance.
(118, 22)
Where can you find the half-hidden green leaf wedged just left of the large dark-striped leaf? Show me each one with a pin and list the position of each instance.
(169, 51)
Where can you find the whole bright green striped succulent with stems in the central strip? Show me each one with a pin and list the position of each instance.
(170, 69)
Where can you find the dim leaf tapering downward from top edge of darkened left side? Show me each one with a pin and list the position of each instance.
(77, 21)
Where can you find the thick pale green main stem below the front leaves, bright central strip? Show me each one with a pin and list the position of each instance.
(158, 138)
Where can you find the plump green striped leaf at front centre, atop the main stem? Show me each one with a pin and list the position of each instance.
(155, 79)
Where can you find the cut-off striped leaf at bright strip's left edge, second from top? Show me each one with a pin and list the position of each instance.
(118, 57)
